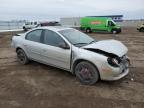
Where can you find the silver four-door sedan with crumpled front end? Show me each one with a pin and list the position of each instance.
(74, 51)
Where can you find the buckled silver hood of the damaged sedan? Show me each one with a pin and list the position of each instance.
(110, 46)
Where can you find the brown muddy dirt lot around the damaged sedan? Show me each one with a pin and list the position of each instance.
(39, 86)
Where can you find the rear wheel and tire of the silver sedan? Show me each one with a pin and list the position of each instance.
(21, 56)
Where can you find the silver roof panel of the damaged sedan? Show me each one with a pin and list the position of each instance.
(54, 28)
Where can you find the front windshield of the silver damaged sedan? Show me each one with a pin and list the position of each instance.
(76, 37)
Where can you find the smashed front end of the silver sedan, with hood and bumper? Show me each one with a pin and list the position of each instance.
(115, 63)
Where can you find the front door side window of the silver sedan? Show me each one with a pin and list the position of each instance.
(52, 38)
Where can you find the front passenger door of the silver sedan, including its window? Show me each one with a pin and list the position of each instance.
(52, 53)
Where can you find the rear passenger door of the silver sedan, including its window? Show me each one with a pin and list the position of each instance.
(32, 44)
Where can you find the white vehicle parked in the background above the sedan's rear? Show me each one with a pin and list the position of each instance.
(30, 25)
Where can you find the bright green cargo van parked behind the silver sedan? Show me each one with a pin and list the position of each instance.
(99, 24)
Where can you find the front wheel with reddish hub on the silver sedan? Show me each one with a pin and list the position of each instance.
(86, 73)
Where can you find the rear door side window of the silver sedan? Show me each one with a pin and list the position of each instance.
(34, 36)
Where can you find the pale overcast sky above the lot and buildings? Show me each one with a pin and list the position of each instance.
(55, 9)
